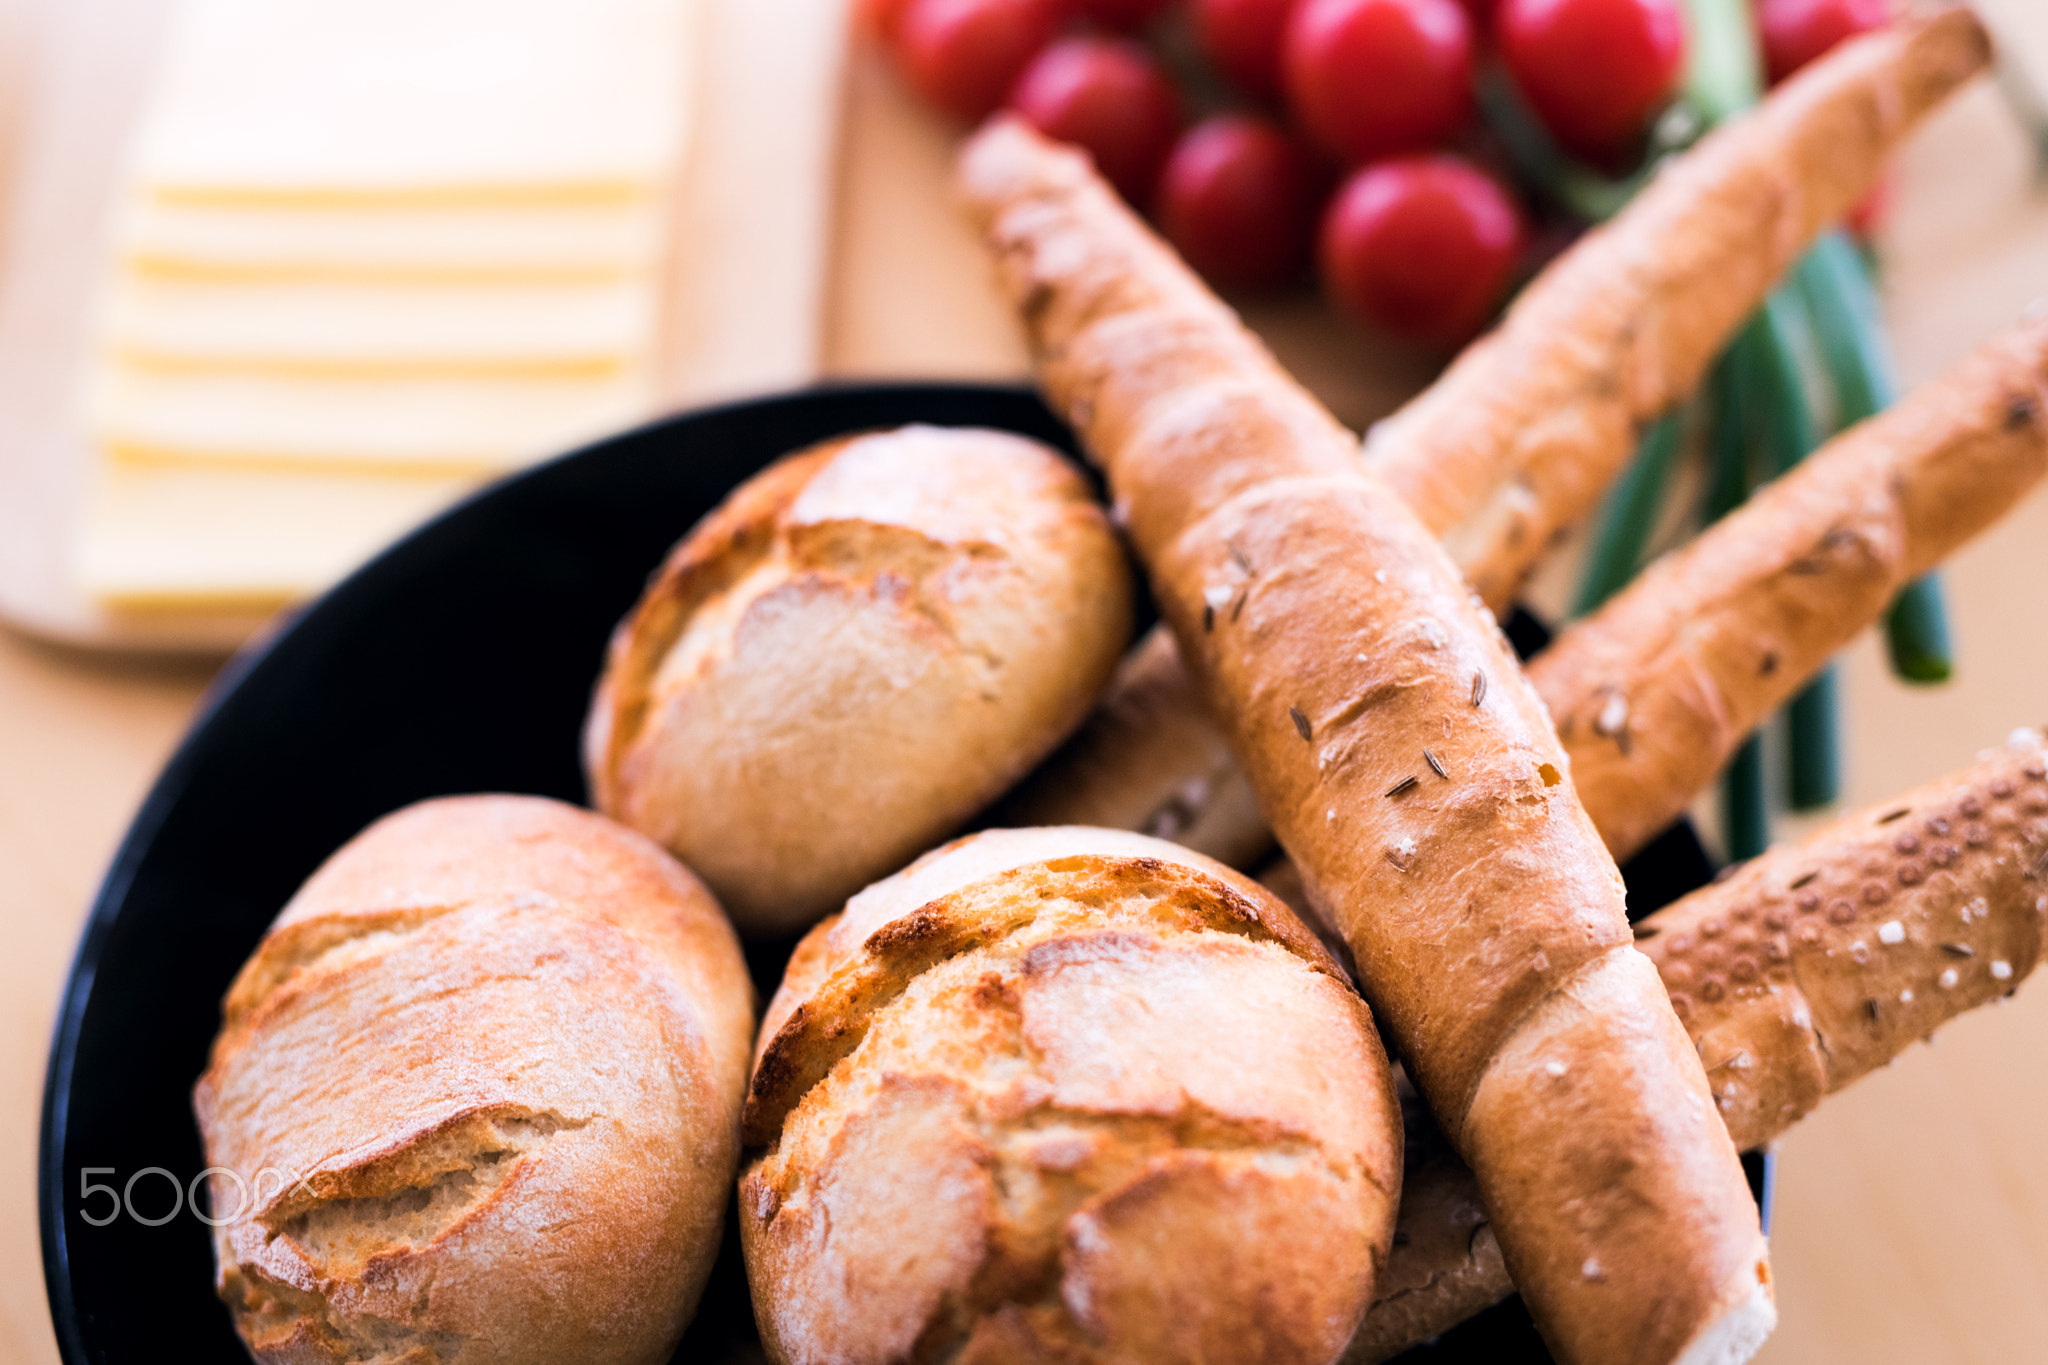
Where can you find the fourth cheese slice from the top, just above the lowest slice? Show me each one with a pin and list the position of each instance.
(423, 425)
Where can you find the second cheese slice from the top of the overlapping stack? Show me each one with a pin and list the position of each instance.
(433, 247)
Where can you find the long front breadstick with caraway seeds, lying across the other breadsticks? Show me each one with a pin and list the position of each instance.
(1410, 768)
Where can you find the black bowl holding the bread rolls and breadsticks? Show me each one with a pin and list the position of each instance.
(458, 662)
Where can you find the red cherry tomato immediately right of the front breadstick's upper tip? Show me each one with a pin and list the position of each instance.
(1109, 97)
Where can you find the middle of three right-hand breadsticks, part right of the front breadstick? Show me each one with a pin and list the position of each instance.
(1656, 691)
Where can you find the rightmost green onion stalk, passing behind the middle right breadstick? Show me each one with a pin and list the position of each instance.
(1850, 333)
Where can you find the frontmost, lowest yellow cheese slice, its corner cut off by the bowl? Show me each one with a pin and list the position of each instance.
(226, 539)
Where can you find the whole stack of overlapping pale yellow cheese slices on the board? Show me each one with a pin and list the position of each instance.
(370, 255)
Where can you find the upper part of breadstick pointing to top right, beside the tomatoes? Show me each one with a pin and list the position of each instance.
(1529, 427)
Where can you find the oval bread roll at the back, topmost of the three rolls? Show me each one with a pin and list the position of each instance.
(859, 650)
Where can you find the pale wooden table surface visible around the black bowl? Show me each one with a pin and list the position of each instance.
(1914, 1210)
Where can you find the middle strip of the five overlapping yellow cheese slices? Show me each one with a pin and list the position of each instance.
(382, 328)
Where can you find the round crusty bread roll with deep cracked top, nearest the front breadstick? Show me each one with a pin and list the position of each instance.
(1066, 1096)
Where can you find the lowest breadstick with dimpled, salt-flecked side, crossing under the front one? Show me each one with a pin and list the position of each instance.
(1801, 973)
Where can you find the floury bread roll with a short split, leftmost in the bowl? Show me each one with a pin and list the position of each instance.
(478, 1092)
